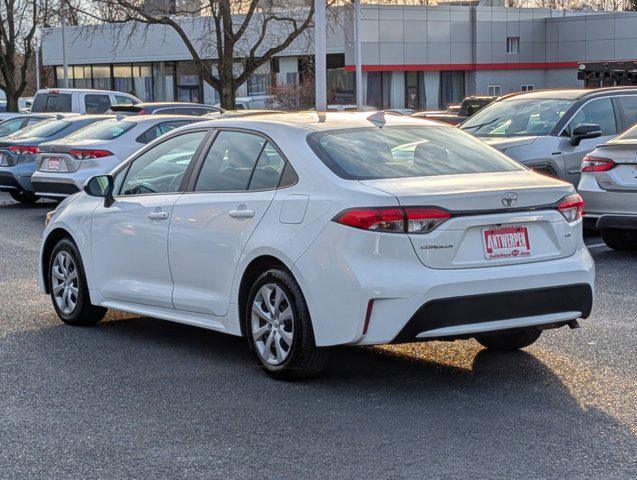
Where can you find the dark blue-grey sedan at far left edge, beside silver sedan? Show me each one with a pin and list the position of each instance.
(19, 152)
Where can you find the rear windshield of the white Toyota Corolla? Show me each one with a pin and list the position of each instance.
(405, 151)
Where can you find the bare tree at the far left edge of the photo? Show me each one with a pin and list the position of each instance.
(18, 25)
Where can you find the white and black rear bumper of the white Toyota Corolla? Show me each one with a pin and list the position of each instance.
(367, 289)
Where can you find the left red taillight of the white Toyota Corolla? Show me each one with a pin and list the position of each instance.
(394, 219)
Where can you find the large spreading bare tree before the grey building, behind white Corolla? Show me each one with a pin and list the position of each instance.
(240, 36)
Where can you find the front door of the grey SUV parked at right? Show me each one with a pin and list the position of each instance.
(598, 111)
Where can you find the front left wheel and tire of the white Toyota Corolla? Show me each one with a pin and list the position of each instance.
(68, 286)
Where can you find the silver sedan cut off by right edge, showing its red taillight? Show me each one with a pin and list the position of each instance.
(608, 185)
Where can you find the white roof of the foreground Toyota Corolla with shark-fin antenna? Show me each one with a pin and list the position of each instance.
(313, 121)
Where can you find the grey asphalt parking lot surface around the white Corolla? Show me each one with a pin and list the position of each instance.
(140, 398)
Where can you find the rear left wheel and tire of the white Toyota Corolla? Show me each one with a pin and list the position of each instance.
(279, 330)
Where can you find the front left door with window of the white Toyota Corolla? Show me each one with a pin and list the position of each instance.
(130, 237)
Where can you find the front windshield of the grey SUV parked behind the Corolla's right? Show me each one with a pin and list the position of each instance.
(517, 116)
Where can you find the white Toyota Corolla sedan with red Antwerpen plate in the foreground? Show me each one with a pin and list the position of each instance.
(301, 231)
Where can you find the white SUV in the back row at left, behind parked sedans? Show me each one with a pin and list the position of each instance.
(79, 101)
